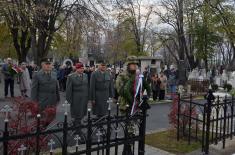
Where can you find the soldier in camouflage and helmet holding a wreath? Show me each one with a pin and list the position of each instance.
(126, 84)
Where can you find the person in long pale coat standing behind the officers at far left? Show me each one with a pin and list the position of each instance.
(25, 81)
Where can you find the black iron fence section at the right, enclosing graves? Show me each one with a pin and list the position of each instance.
(209, 121)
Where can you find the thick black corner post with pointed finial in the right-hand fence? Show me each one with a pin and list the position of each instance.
(210, 97)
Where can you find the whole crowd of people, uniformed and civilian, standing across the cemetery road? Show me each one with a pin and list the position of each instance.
(83, 85)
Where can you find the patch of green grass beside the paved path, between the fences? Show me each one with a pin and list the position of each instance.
(167, 141)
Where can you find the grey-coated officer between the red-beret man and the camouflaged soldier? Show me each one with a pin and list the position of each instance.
(101, 89)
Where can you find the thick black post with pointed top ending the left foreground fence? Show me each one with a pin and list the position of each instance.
(144, 107)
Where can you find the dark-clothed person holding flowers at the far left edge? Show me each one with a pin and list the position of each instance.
(9, 77)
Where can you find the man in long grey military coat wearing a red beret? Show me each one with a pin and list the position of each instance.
(77, 90)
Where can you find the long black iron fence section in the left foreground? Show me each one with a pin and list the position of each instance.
(112, 134)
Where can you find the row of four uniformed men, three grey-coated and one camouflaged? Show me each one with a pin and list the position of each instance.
(80, 91)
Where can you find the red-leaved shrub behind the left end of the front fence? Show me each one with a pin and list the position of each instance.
(23, 120)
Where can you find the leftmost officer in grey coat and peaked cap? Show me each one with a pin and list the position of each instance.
(44, 86)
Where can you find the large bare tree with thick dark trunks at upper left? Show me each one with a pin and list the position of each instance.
(37, 21)
